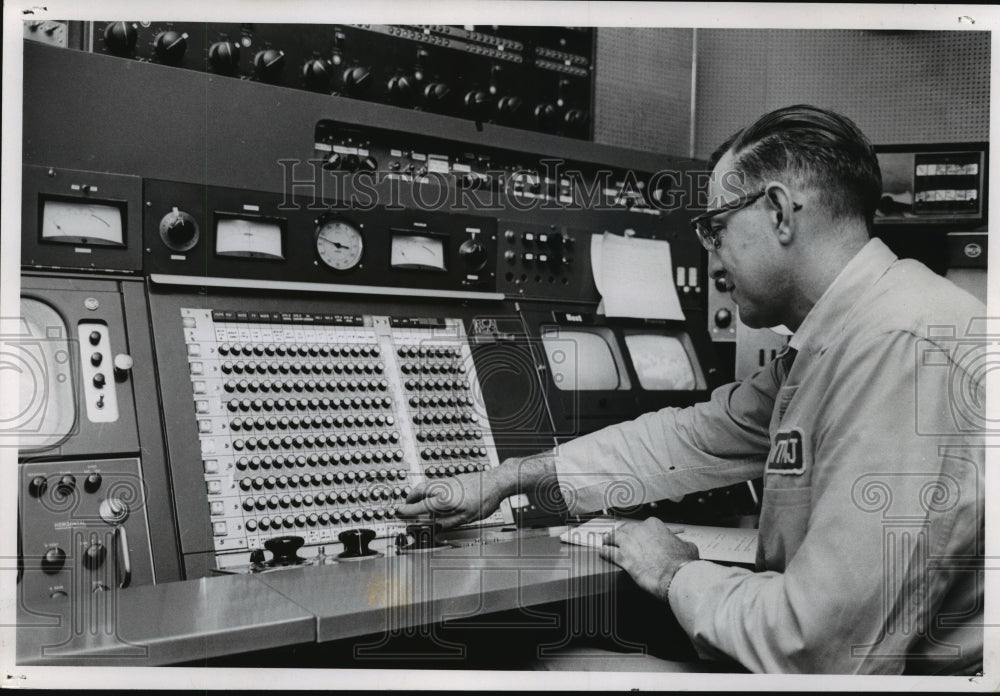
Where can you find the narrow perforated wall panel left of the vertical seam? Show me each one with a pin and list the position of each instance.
(643, 89)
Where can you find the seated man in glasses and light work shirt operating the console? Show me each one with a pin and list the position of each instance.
(871, 527)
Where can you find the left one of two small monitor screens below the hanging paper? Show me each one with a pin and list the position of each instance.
(582, 359)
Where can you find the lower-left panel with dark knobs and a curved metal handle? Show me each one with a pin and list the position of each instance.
(83, 529)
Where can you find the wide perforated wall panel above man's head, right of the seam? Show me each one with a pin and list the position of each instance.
(900, 87)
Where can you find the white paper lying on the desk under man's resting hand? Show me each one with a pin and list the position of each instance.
(727, 544)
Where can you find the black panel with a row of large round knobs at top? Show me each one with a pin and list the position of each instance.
(537, 78)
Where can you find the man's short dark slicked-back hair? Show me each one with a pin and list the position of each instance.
(821, 148)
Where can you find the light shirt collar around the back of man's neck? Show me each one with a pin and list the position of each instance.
(825, 319)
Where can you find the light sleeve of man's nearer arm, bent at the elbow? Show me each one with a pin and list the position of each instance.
(885, 502)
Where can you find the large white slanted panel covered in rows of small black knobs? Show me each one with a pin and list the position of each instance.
(313, 425)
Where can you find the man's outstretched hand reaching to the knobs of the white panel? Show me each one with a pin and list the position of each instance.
(454, 500)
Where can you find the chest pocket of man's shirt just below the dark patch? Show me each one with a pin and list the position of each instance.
(784, 518)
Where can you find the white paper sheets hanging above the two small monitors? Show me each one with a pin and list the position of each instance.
(634, 277)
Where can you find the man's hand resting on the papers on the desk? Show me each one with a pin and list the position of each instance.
(649, 552)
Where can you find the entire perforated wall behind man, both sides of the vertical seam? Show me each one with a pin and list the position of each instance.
(900, 86)
